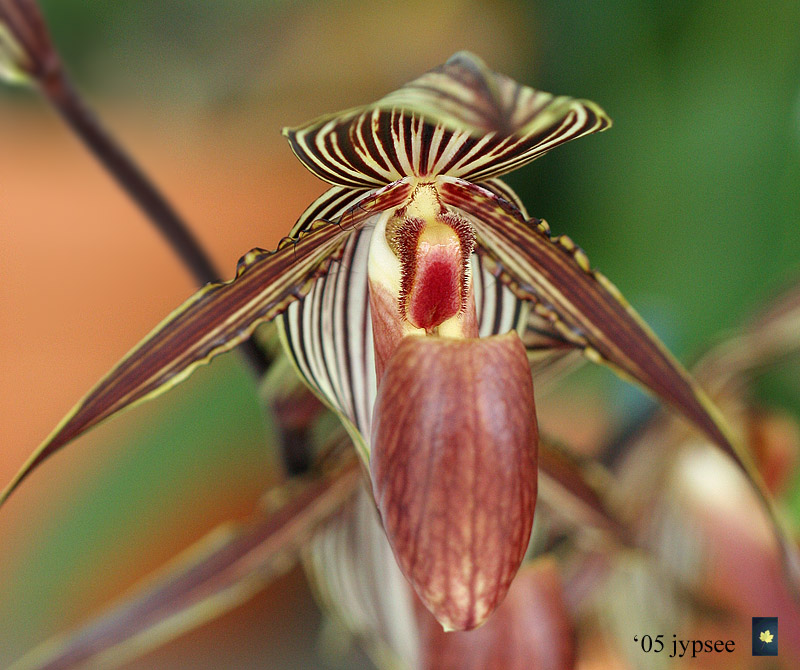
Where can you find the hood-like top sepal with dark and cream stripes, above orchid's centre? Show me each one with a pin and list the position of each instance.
(459, 119)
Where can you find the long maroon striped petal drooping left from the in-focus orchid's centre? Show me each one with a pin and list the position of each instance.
(214, 320)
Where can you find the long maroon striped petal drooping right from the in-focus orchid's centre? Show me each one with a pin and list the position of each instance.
(554, 274)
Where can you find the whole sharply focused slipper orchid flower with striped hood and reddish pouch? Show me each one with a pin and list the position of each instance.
(415, 297)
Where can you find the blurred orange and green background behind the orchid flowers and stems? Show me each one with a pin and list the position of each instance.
(690, 204)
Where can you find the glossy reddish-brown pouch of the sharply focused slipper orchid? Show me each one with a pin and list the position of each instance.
(453, 467)
